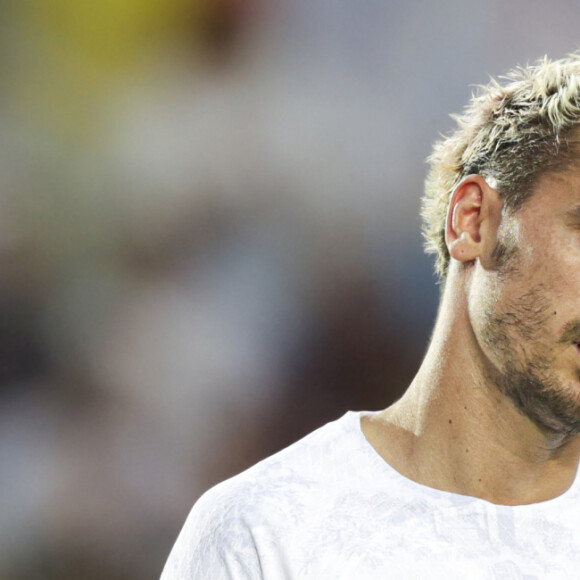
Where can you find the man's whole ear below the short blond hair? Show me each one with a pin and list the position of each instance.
(473, 218)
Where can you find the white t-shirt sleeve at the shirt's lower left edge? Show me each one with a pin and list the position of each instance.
(216, 541)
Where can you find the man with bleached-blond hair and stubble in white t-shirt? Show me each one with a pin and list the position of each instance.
(472, 473)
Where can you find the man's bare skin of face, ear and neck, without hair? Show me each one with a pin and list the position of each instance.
(494, 410)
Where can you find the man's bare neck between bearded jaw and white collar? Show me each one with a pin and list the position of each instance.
(453, 430)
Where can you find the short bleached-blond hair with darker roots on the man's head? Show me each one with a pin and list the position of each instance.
(512, 132)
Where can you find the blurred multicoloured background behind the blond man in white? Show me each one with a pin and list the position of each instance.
(209, 242)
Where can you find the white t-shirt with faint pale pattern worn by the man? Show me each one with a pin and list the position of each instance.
(330, 507)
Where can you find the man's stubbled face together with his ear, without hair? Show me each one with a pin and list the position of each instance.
(517, 310)
